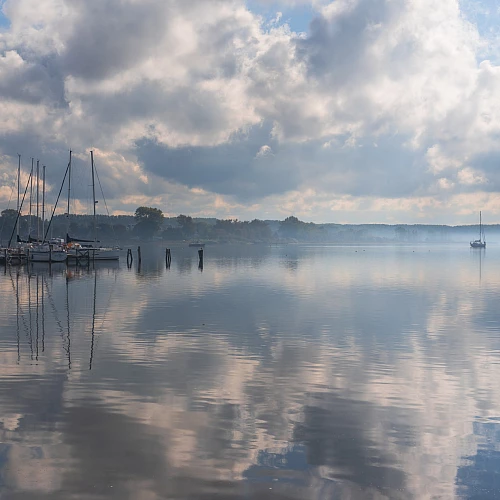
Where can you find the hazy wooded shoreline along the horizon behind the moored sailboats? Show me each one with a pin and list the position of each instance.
(150, 223)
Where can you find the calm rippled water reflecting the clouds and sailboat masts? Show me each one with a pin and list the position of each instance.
(295, 372)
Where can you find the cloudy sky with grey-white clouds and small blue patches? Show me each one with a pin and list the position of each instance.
(347, 111)
